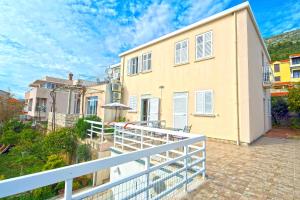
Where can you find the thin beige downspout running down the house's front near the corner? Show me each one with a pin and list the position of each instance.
(237, 80)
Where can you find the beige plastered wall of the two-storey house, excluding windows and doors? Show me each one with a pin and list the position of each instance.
(217, 73)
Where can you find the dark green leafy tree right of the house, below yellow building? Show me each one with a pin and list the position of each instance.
(279, 109)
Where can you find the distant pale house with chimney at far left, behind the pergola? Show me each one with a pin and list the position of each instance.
(39, 102)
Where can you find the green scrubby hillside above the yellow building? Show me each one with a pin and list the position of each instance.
(282, 45)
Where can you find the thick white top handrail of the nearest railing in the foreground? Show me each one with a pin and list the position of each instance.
(29, 182)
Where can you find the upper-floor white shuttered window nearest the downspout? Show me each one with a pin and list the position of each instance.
(204, 45)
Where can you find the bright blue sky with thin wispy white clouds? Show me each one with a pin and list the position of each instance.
(54, 37)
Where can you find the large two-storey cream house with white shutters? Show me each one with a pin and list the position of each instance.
(208, 75)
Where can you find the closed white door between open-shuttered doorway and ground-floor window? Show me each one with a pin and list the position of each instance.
(180, 110)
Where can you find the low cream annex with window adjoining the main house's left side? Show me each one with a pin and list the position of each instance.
(103, 93)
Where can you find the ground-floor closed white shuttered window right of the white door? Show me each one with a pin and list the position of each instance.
(204, 102)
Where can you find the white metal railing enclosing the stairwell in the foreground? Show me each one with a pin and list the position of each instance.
(171, 161)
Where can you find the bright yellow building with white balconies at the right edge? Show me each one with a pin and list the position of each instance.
(286, 74)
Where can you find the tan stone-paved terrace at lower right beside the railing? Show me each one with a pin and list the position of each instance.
(267, 169)
